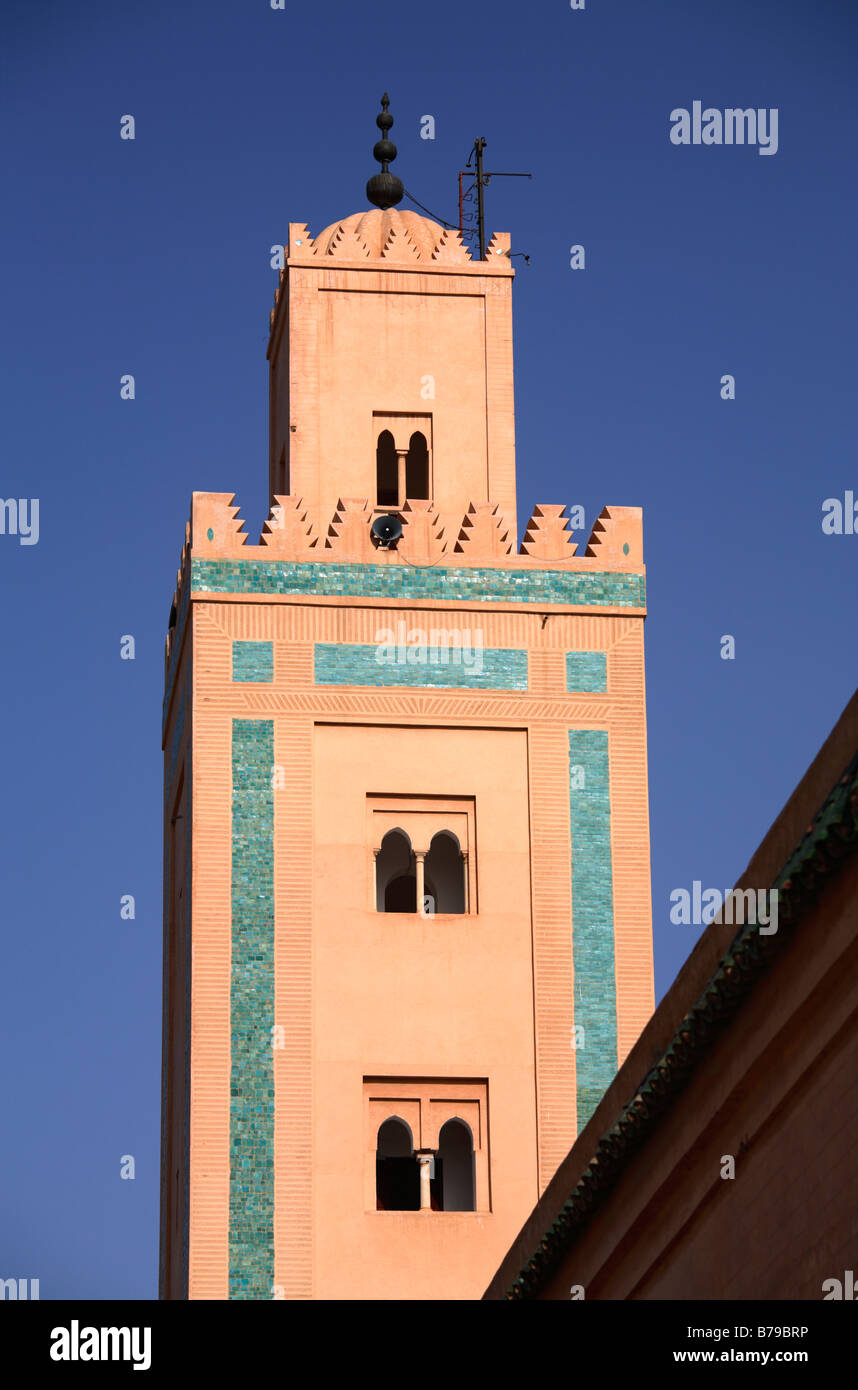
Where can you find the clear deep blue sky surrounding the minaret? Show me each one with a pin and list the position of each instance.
(152, 258)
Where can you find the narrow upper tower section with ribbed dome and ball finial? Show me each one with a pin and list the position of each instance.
(391, 372)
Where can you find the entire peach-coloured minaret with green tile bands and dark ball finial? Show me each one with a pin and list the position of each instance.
(407, 843)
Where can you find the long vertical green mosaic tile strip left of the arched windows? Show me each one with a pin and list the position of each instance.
(252, 1014)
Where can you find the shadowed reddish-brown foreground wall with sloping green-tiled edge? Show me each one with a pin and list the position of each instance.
(756, 1056)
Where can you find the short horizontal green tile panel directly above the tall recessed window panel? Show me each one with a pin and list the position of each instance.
(422, 667)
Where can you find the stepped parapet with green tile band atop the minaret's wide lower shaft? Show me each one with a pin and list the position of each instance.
(304, 554)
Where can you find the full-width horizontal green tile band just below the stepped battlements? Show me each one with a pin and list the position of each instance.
(601, 589)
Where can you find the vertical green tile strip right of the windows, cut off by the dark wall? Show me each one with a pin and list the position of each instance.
(593, 918)
